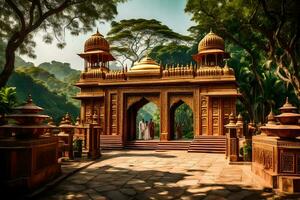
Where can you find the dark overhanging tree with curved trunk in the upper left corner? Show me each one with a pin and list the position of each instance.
(20, 20)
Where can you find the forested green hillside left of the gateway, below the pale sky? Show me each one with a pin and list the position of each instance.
(47, 91)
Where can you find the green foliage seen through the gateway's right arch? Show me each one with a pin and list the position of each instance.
(184, 117)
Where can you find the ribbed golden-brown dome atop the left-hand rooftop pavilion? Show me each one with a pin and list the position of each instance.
(96, 42)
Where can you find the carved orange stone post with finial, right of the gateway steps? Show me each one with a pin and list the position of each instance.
(232, 141)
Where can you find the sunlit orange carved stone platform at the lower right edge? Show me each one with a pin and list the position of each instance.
(277, 161)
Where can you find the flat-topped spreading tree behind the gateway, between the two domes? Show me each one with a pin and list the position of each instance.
(131, 39)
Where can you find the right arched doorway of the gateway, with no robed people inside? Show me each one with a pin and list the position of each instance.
(181, 121)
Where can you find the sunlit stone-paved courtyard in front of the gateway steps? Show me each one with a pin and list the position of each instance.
(135, 174)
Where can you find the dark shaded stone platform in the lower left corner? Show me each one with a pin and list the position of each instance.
(27, 164)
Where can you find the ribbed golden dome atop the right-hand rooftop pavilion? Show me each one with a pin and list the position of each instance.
(210, 43)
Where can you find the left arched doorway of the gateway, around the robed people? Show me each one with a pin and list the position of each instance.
(149, 113)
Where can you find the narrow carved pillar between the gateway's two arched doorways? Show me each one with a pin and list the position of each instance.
(164, 116)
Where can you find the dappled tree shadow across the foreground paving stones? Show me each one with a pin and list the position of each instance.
(108, 182)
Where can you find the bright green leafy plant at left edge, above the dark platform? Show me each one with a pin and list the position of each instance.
(7, 99)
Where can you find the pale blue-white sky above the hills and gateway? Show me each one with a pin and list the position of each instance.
(169, 12)
